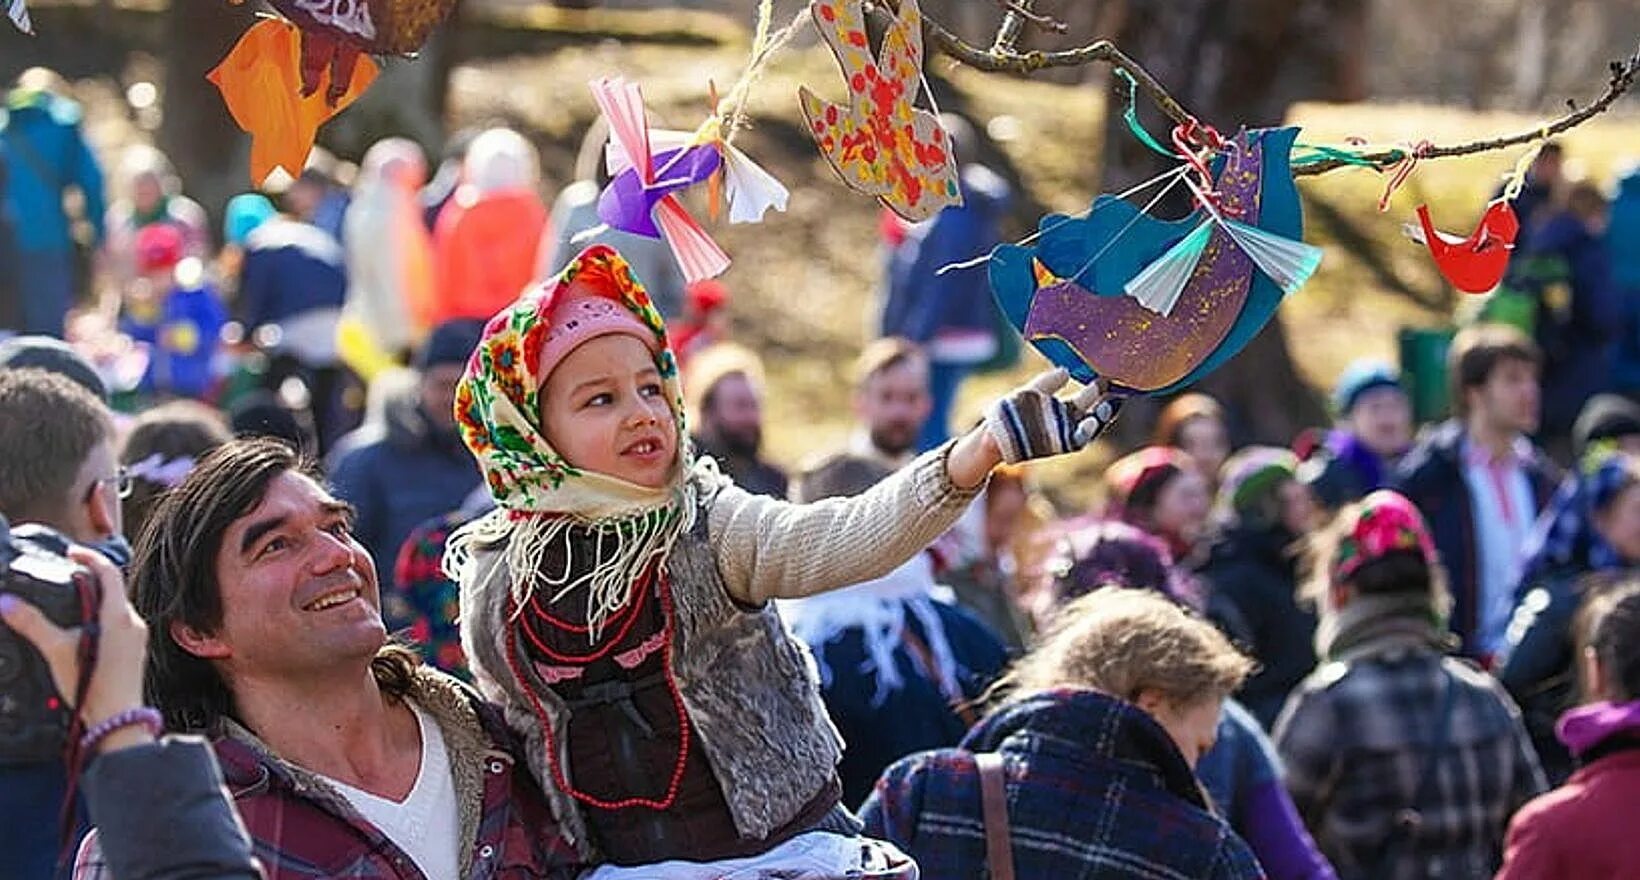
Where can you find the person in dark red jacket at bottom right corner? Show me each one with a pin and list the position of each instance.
(1587, 827)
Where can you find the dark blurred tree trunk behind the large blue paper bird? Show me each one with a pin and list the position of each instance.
(1237, 63)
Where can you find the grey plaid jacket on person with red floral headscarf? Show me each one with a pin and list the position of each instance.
(1355, 740)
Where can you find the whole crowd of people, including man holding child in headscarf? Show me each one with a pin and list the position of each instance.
(432, 535)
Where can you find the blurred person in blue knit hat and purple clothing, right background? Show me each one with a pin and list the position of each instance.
(1373, 432)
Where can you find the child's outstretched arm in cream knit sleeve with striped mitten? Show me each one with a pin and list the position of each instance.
(775, 550)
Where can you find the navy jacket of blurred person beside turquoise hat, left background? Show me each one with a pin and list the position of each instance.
(289, 268)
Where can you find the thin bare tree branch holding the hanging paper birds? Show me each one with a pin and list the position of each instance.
(1003, 58)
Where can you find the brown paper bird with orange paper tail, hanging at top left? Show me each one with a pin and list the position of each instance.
(329, 40)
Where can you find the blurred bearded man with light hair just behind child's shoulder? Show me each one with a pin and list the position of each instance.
(727, 388)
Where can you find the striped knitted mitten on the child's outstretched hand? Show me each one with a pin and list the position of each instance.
(1031, 424)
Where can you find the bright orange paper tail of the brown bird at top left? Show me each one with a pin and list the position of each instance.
(262, 84)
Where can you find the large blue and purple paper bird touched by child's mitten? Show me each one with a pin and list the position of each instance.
(1155, 306)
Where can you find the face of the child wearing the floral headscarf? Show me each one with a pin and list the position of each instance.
(604, 409)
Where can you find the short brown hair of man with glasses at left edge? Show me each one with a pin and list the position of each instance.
(48, 429)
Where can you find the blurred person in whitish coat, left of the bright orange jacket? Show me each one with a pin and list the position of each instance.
(389, 252)
